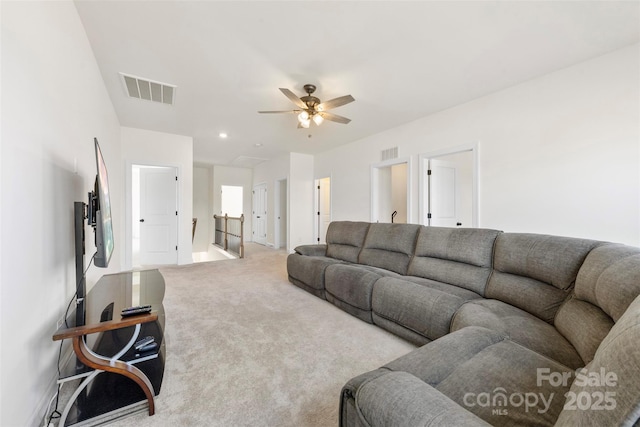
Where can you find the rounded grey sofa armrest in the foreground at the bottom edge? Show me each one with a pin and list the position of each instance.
(401, 399)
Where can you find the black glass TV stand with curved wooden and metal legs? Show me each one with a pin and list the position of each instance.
(104, 346)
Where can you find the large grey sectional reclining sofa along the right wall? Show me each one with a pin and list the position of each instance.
(514, 328)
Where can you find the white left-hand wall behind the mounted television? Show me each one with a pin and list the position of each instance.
(55, 103)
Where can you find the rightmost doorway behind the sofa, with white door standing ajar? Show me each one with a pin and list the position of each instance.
(449, 187)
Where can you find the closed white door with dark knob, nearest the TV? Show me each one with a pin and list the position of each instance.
(158, 216)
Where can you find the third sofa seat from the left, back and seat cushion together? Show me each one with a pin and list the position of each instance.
(450, 267)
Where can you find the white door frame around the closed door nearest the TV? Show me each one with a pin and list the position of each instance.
(128, 206)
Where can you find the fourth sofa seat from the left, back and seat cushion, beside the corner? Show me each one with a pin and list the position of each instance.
(532, 276)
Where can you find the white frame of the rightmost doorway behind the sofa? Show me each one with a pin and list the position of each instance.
(423, 184)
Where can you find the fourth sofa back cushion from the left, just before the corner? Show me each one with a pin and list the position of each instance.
(536, 272)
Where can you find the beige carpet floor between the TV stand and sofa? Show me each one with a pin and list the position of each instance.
(247, 348)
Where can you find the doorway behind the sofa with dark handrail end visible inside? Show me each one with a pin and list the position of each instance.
(391, 191)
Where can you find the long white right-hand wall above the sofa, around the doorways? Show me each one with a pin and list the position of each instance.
(558, 154)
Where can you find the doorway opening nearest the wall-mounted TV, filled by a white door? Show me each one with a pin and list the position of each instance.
(154, 215)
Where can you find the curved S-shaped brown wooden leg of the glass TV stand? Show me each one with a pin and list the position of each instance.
(117, 367)
